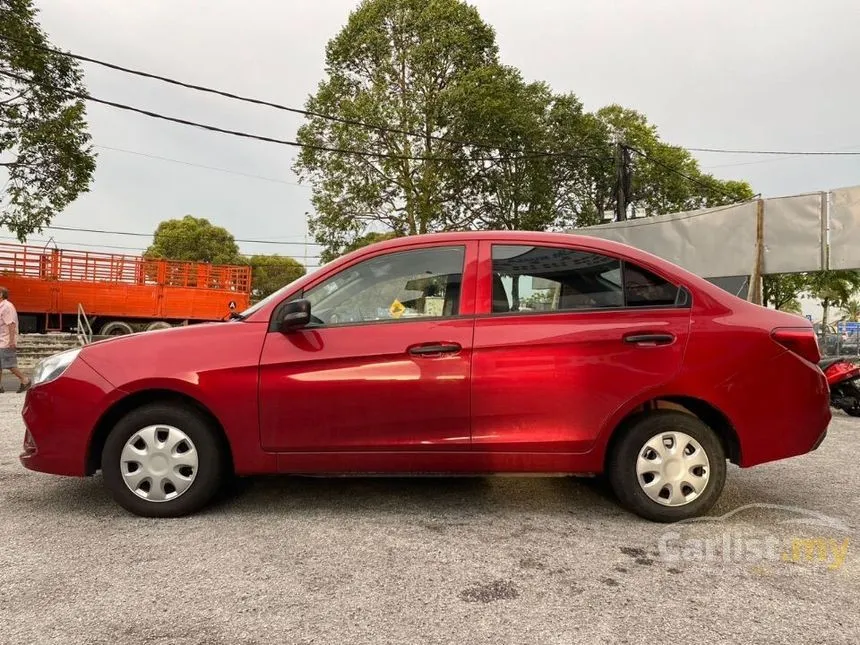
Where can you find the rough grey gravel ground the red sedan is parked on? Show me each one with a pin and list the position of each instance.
(489, 560)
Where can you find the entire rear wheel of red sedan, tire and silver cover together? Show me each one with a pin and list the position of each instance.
(667, 466)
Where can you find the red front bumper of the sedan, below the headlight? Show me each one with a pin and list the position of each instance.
(59, 419)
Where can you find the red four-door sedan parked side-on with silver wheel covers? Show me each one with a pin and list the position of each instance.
(465, 353)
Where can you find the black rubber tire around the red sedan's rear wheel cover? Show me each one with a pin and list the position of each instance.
(621, 465)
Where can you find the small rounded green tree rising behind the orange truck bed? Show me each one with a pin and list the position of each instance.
(193, 239)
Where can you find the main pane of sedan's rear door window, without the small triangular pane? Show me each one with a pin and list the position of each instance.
(536, 278)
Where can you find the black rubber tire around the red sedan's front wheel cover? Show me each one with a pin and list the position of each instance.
(211, 460)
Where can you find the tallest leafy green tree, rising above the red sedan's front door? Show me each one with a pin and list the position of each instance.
(396, 63)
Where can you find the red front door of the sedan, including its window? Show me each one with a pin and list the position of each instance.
(384, 365)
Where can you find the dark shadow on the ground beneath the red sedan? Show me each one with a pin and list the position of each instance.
(585, 498)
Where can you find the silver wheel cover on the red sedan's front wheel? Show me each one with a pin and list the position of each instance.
(159, 463)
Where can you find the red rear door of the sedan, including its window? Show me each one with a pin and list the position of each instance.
(567, 337)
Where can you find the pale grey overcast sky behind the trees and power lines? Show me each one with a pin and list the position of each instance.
(752, 74)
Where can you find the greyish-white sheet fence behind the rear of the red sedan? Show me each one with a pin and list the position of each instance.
(725, 241)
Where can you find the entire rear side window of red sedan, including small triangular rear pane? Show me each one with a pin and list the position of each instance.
(536, 278)
